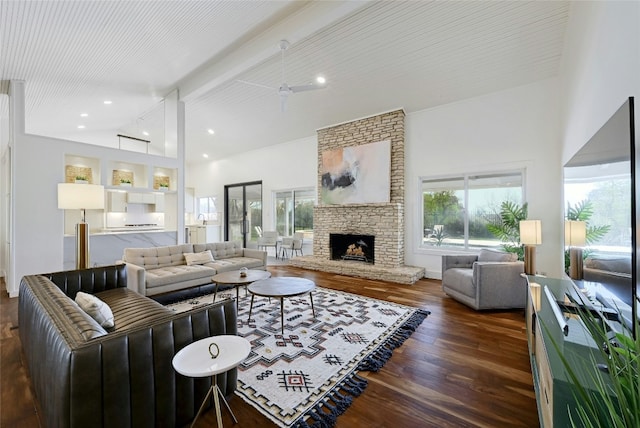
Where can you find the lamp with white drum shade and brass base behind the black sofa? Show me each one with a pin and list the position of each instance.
(72, 196)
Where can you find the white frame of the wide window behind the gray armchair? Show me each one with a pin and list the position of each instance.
(466, 249)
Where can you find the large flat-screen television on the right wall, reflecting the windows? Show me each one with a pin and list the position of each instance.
(603, 177)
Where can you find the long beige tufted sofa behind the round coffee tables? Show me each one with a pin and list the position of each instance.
(159, 270)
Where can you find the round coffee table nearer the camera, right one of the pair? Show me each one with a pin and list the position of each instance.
(281, 287)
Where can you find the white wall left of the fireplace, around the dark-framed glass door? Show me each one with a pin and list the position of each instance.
(286, 166)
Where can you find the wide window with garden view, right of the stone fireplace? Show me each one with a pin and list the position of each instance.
(456, 210)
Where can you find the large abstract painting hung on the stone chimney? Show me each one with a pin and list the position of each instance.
(357, 174)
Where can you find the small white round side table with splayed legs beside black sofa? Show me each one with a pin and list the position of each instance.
(208, 357)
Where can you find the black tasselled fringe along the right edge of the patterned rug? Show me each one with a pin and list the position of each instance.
(325, 413)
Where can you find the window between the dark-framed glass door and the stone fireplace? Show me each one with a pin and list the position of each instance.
(294, 211)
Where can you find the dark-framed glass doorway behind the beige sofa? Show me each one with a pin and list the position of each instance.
(243, 212)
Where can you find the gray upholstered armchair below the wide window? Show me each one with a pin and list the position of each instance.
(489, 280)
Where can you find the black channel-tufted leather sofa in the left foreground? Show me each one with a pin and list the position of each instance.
(84, 376)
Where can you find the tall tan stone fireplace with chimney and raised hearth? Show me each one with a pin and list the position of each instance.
(385, 221)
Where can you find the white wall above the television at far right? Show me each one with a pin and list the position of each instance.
(601, 67)
